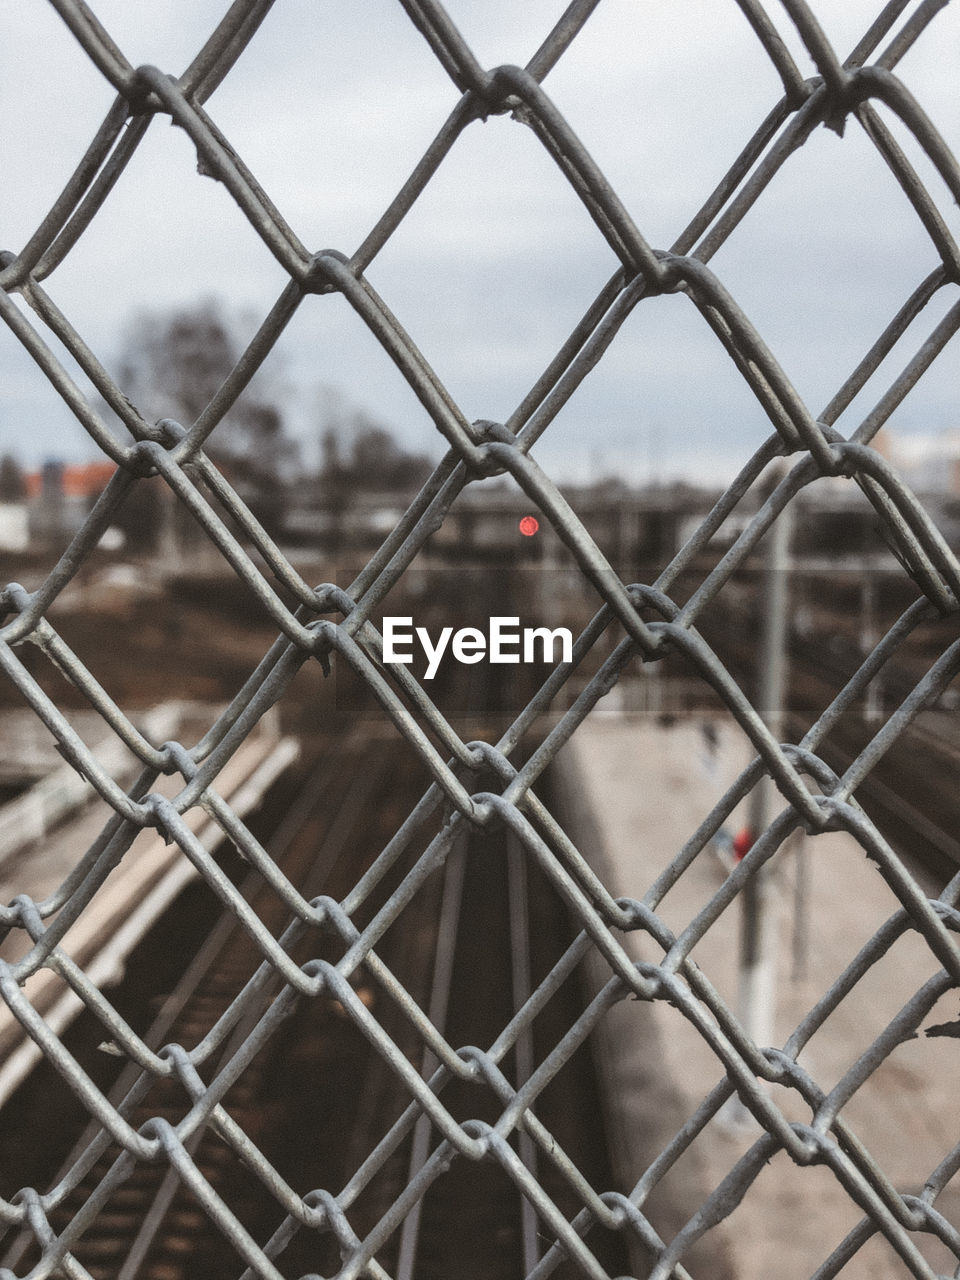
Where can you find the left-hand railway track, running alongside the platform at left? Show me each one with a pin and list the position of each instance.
(150, 1228)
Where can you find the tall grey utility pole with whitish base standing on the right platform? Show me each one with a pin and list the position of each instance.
(758, 924)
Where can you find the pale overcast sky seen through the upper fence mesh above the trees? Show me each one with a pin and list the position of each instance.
(333, 104)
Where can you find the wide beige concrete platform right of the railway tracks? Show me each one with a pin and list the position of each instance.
(637, 792)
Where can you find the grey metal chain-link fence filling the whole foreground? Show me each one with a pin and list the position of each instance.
(332, 625)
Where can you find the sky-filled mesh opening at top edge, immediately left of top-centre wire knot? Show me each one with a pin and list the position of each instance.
(332, 116)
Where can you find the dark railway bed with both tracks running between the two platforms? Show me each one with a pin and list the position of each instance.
(318, 1100)
